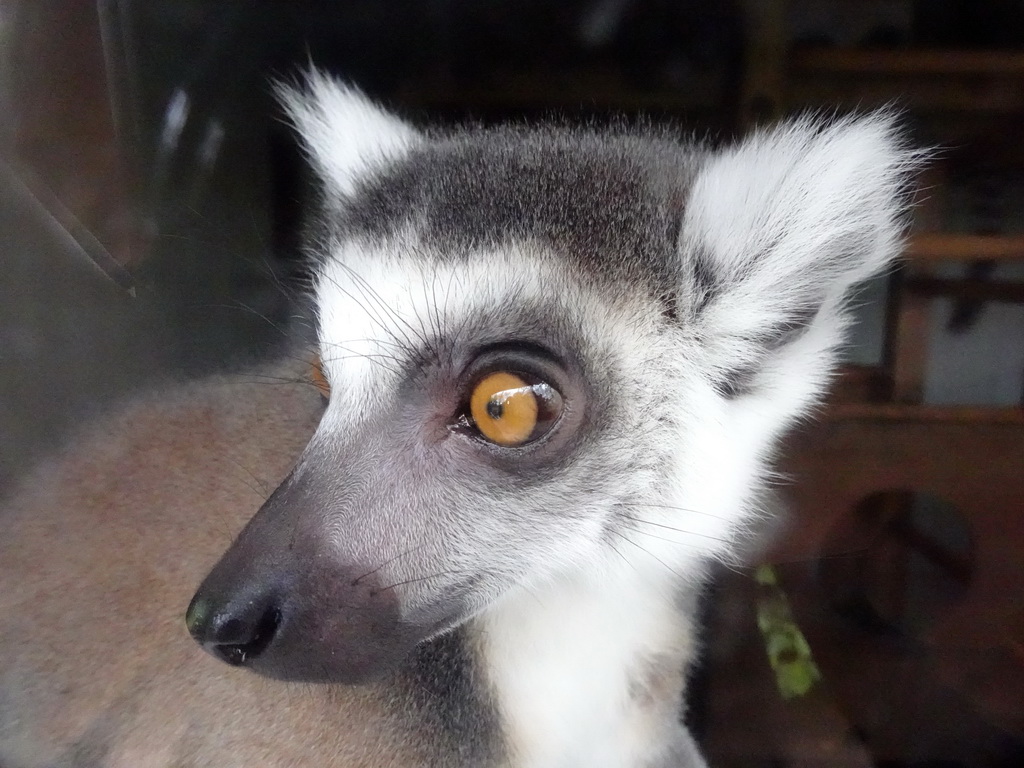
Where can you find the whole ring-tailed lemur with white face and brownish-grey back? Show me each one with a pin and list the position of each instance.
(560, 363)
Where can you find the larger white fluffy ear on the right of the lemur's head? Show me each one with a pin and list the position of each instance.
(779, 229)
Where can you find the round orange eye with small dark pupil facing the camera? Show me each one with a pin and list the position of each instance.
(509, 411)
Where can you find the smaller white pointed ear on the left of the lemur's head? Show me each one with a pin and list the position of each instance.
(346, 135)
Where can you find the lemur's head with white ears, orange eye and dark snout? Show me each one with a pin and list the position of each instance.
(549, 352)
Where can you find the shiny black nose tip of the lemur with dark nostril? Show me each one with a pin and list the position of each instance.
(236, 633)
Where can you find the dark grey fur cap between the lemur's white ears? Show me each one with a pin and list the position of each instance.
(611, 203)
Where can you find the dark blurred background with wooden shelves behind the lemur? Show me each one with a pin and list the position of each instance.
(150, 204)
